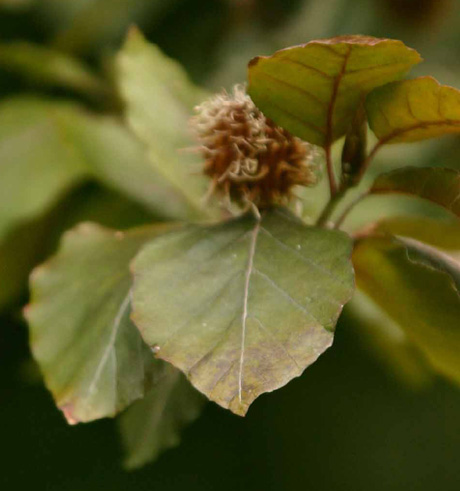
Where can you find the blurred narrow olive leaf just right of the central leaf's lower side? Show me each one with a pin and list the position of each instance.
(387, 341)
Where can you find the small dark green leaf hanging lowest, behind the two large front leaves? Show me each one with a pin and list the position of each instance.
(152, 425)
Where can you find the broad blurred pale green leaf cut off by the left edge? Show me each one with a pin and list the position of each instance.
(38, 163)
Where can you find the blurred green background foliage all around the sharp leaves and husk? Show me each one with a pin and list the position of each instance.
(67, 155)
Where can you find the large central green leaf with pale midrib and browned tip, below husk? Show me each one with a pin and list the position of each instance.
(244, 306)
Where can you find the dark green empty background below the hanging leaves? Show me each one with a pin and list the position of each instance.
(343, 425)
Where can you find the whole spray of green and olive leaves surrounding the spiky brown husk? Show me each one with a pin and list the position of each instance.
(238, 307)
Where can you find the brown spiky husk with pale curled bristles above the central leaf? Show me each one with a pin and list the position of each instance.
(247, 156)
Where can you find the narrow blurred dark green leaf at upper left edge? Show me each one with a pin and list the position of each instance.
(49, 66)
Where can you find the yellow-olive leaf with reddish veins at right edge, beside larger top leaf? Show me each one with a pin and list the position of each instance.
(413, 110)
